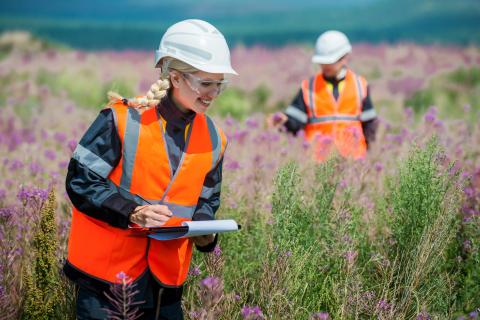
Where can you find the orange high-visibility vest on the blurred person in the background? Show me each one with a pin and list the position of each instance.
(335, 123)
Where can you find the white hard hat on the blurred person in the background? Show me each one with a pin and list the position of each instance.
(330, 47)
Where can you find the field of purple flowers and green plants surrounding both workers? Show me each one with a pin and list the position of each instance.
(393, 236)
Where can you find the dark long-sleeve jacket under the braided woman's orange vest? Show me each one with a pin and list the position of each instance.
(96, 196)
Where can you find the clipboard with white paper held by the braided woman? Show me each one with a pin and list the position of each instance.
(194, 228)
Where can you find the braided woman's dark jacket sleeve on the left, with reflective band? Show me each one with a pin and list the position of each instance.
(96, 155)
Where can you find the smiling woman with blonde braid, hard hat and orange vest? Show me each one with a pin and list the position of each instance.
(148, 162)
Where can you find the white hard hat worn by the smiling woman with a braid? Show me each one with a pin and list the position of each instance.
(197, 43)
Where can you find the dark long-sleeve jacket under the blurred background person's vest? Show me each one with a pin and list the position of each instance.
(297, 112)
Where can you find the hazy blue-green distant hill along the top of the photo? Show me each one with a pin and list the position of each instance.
(125, 24)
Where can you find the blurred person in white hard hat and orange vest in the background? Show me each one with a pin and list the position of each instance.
(333, 107)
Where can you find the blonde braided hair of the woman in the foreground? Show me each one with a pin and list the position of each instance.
(158, 89)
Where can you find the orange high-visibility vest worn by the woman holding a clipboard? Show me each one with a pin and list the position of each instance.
(144, 175)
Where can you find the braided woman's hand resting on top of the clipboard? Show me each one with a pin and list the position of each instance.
(151, 216)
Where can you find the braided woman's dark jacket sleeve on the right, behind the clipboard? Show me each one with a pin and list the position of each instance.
(209, 201)
